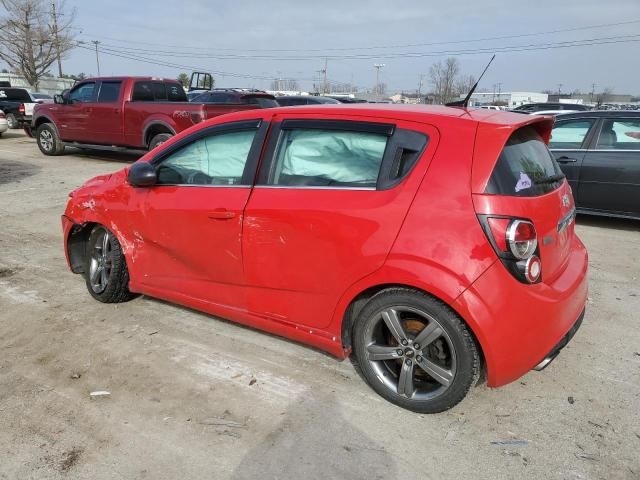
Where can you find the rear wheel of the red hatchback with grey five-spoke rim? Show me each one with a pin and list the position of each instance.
(414, 351)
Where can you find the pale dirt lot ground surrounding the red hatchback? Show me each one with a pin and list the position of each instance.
(196, 397)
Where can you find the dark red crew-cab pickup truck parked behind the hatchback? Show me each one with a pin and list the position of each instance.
(120, 112)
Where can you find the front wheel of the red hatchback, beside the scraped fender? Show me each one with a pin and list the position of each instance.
(105, 269)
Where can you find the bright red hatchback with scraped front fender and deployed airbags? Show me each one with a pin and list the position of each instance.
(432, 243)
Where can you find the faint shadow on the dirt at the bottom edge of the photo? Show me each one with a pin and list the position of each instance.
(314, 440)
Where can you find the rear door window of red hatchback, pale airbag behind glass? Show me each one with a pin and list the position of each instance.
(334, 158)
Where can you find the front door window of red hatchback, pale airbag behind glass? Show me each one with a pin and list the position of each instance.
(218, 159)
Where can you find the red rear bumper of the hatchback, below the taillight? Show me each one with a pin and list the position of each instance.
(519, 326)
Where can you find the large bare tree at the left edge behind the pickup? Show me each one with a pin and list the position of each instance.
(32, 38)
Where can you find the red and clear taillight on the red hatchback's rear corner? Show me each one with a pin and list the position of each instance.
(515, 241)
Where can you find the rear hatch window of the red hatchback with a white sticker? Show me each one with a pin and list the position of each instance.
(525, 167)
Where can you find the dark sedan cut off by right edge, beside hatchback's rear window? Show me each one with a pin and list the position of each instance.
(599, 152)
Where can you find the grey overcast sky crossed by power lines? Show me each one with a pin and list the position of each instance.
(191, 32)
